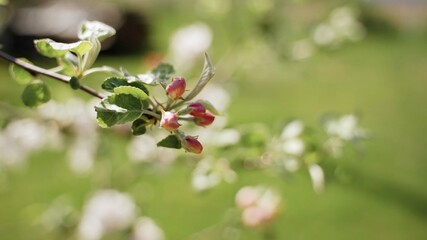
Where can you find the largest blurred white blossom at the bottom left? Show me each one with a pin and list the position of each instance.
(106, 211)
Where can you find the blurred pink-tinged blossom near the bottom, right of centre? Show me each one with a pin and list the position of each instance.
(259, 205)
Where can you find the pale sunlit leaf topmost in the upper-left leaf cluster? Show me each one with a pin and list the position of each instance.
(95, 29)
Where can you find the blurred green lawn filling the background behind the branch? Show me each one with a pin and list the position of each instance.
(384, 197)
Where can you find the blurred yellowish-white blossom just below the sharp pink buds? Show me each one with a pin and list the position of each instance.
(210, 172)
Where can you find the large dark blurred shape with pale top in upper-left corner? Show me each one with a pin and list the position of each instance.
(60, 21)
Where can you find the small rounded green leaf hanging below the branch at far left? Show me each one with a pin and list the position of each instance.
(35, 94)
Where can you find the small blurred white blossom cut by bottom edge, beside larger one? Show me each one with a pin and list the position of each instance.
(146, 229)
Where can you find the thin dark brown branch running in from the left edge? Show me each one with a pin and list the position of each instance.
(38, 70)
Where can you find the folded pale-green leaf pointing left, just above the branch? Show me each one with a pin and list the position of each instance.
(49, 48)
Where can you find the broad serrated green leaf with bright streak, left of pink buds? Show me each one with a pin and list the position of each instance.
(118, 109)
